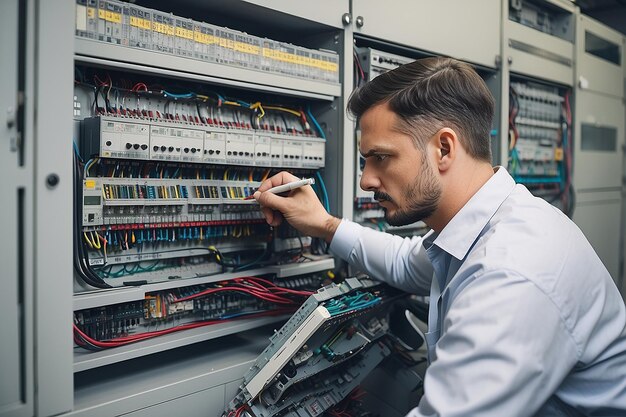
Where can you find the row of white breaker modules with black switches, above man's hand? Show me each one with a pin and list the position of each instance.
(118, 137)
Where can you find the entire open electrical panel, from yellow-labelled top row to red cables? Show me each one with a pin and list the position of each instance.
(170, 248)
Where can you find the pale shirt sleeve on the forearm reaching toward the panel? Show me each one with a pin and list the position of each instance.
(401, 262)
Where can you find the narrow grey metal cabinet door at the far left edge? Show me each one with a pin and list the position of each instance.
(15, 304)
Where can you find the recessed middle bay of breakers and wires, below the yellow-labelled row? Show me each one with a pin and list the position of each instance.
(166, 175)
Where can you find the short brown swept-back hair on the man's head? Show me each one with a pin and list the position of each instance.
(433, 92)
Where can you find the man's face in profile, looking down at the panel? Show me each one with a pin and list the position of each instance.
(400, 175)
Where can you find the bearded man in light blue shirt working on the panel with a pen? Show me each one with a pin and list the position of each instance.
(524, 319)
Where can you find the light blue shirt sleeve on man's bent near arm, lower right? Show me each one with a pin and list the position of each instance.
(505, 349)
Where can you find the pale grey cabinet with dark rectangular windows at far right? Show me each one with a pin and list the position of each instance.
(599, 140)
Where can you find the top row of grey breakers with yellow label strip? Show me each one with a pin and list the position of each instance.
(130, 25)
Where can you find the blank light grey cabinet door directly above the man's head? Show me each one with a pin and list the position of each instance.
(467, 30)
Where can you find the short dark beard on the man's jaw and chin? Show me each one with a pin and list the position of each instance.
(422, 199)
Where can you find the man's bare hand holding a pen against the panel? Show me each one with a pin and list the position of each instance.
(301, 208)
